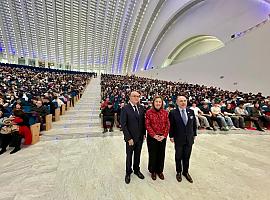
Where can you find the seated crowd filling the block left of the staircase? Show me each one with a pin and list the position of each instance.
(28, 94)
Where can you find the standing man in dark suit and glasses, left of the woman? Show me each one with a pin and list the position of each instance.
(132, 121)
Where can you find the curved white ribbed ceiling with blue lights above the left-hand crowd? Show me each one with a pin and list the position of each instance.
(113, 36)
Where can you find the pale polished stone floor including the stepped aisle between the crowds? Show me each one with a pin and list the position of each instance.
(75, 161)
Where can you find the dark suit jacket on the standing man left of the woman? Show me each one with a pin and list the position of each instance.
(133, 125)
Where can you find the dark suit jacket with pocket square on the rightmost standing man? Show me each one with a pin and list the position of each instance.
(182, 134)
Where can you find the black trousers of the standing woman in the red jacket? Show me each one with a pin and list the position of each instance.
(156, 153)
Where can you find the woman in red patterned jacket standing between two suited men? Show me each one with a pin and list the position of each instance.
(157, 126)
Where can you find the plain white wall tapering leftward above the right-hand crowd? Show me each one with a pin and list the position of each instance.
(245, 60)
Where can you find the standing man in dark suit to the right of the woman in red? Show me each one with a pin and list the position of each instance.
(183, 130)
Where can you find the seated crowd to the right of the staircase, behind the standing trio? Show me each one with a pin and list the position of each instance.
(213, 106)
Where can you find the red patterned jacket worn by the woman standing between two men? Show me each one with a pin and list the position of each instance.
(157, 122)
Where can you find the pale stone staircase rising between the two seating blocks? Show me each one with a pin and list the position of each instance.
(83, 120)
